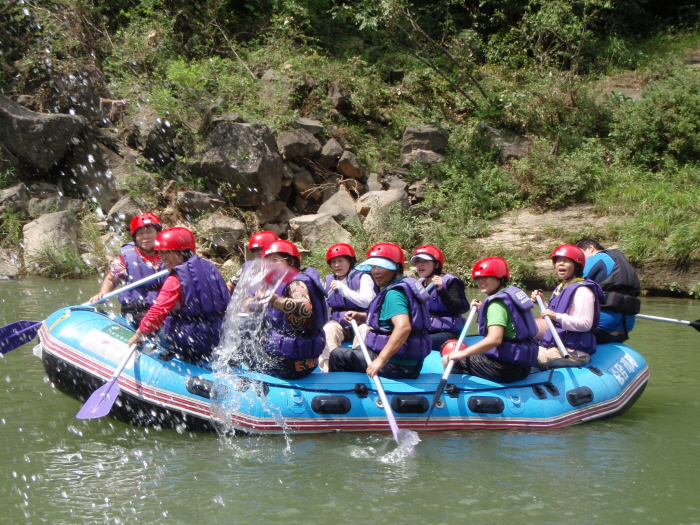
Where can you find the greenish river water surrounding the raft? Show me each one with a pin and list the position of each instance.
(643, 467)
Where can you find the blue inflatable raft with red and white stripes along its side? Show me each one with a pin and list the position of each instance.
(81, 347)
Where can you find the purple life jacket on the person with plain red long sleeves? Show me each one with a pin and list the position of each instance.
(195, 328)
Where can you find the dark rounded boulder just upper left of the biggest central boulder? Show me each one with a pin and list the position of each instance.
(152, 135)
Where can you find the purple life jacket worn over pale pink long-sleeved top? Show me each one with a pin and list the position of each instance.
(583, 341)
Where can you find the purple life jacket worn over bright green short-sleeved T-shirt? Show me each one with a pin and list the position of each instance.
(522, 349)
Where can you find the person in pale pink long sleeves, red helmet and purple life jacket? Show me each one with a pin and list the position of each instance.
(574, 309)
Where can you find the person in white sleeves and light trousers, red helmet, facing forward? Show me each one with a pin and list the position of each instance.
(348, 289)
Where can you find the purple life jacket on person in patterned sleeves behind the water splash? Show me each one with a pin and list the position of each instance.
(286, 341)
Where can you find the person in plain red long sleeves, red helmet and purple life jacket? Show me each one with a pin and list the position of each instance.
(191, 304)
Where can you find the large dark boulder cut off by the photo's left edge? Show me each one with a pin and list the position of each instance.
(39, 140)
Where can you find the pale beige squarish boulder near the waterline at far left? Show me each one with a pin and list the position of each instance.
(53, 231)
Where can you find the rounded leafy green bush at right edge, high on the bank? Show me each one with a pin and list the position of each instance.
(662, 129)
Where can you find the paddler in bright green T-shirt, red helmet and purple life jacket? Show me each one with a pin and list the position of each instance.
(508, 350)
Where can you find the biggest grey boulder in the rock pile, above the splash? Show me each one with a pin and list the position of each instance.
(245, 157)
